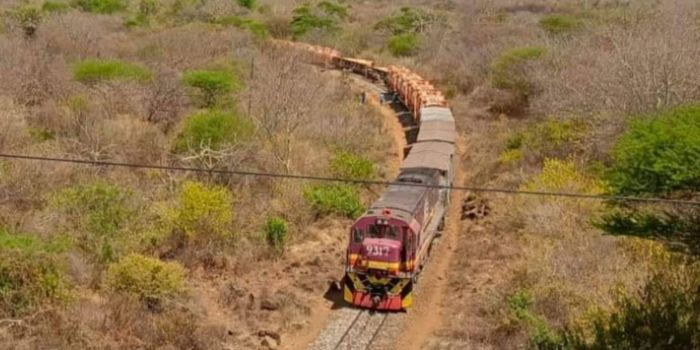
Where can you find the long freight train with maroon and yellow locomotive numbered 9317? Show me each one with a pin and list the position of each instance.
(388, 246)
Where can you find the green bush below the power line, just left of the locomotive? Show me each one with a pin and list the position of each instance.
(338, 199)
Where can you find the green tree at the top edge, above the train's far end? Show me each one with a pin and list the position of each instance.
(324, 17)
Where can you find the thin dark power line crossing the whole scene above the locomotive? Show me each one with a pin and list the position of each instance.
(353, 181)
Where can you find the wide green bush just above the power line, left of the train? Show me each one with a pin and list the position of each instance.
(215, 130)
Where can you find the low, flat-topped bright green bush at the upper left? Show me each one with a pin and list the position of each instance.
(96, 70)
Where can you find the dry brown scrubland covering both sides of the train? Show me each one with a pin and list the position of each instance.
(541, 89)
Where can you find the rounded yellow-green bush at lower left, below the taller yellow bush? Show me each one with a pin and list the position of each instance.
(151, 280)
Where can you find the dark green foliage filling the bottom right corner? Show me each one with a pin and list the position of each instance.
(664, 315)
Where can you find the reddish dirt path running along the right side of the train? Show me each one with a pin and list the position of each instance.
(426, 315)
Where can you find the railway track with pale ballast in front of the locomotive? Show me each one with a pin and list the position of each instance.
(354, 329)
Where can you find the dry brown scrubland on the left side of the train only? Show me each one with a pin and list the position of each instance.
(130, 258)
